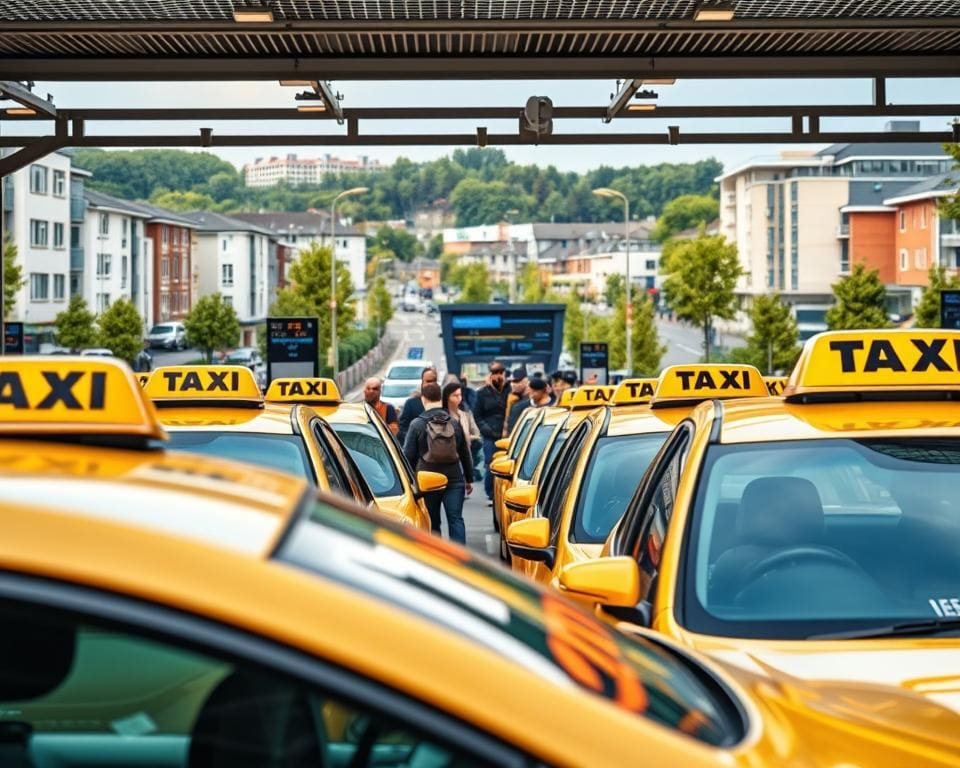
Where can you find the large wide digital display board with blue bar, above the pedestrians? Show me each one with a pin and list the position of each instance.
(478, 333)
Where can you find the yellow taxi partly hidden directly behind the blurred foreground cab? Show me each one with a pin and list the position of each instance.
(219, 410)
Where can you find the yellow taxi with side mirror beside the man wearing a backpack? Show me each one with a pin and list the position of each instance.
(397, 489)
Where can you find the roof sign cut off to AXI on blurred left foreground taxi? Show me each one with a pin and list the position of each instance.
(60, 395)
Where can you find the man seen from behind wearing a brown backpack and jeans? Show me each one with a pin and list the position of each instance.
(436, 443)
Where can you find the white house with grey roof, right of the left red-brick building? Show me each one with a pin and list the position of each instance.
(234, 258)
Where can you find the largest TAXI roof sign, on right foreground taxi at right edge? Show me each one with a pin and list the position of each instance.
(851, 364)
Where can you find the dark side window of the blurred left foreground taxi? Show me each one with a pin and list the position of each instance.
(132, 698)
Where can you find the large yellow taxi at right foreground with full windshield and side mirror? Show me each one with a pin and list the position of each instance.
(812, 541)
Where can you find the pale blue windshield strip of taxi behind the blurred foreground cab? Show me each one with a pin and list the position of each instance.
(283, 452)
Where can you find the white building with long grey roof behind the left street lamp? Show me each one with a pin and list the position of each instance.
(303, 229)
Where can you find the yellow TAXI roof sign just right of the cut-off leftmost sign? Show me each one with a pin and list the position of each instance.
(227, 385)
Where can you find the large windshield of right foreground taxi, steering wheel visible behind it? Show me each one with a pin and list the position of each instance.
(802, 538)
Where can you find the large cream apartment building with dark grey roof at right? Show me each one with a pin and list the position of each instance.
(790, 217)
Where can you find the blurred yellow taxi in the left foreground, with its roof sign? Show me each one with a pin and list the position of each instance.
(165, 609)
